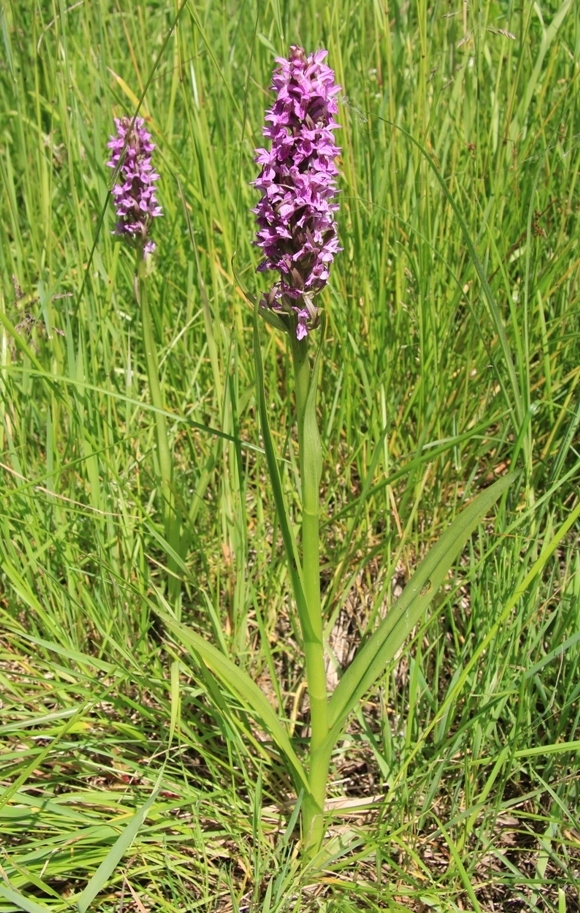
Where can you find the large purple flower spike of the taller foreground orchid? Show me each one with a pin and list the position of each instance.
(295, 216)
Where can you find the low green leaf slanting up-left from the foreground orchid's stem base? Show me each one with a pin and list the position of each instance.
(244, 689)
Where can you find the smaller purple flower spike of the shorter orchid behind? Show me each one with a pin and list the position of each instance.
(134, 195)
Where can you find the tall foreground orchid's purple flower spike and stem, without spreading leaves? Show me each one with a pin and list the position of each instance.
(298, 235)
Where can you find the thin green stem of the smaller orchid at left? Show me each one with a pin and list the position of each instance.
(170, 516)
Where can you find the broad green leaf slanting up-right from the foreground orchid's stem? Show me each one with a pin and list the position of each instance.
(370, 661)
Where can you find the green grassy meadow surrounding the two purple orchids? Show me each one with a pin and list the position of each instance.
(438, 374)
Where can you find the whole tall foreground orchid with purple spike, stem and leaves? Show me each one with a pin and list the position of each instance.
(298, 236)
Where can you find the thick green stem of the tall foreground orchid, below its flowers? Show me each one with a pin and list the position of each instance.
(312, 628)
